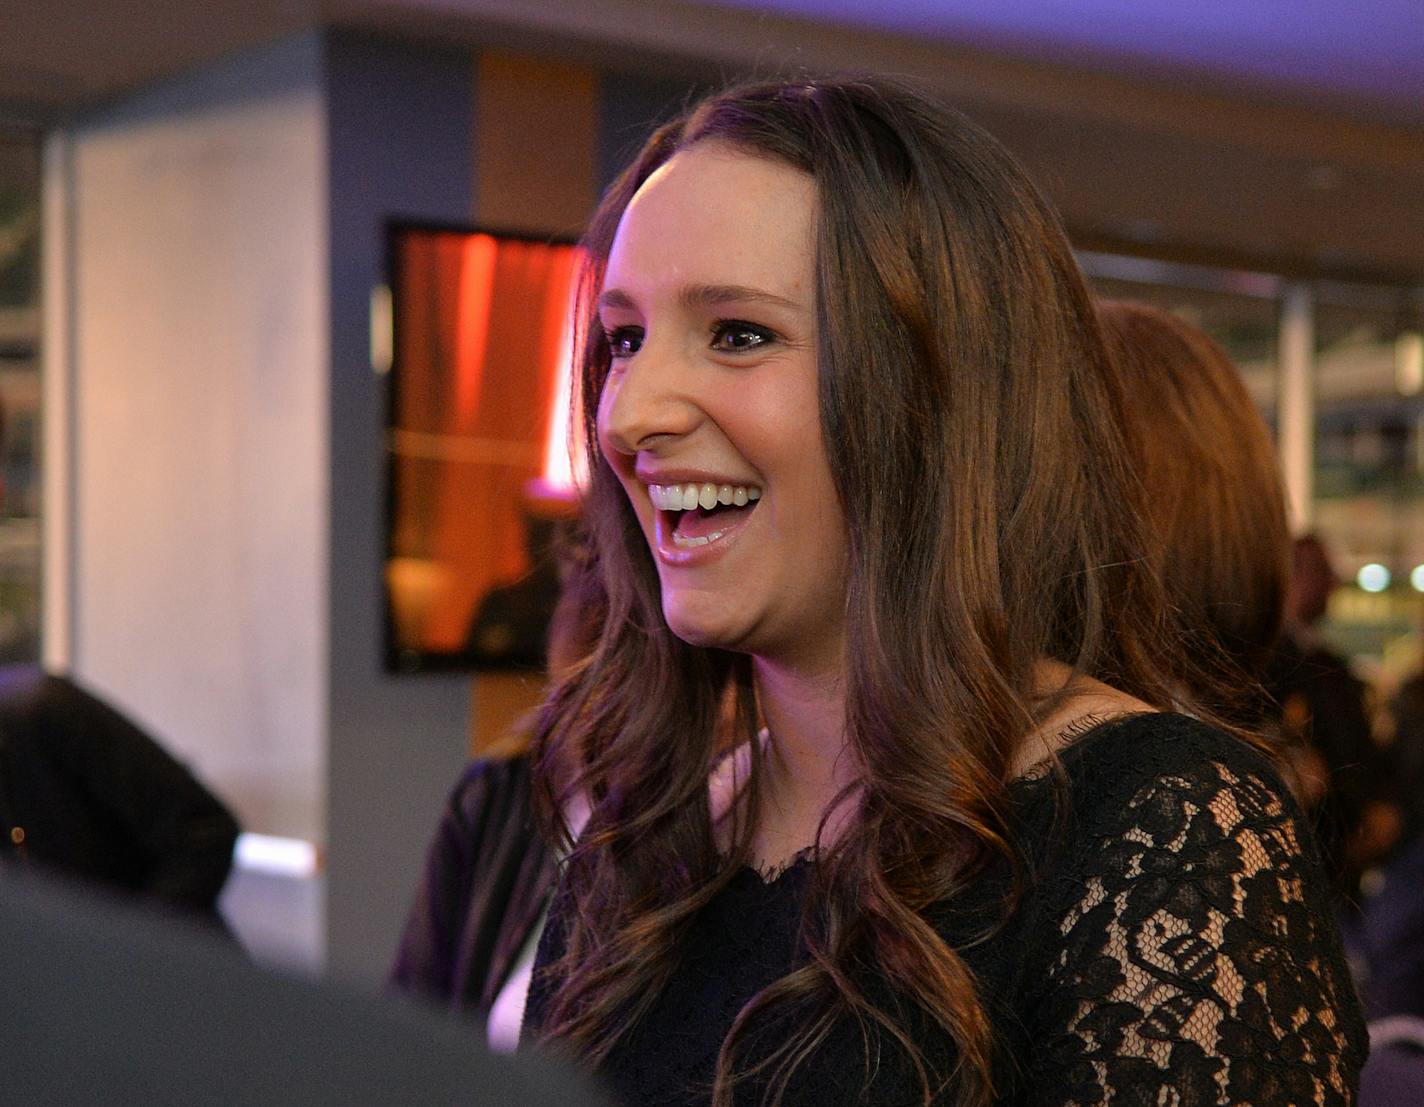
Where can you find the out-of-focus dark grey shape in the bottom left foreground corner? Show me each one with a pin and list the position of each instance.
(112, 1007)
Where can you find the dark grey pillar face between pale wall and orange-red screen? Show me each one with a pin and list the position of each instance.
(399, 145)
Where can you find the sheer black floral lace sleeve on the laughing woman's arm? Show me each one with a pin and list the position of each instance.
(1191, 954)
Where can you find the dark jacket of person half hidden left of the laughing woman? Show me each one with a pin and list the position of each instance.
(486, 883)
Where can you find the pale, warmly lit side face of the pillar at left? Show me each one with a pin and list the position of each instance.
(199, 341)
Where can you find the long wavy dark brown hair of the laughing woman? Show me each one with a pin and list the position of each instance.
(975, 440)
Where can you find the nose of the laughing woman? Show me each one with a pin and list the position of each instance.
(646, 404)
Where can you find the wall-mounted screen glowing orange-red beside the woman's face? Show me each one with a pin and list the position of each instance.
(481, 491)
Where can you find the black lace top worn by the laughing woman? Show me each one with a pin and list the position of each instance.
(1177, 948)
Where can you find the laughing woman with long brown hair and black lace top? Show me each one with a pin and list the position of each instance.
(891, 794)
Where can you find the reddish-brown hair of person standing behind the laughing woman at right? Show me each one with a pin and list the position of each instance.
(1217, 502)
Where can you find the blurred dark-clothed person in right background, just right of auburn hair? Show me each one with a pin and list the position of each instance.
(1326, 722)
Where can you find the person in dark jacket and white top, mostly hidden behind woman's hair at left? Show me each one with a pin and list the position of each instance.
(475, 922)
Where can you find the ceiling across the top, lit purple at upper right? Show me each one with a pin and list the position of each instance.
(1284, 135)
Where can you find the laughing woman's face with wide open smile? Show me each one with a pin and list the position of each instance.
(710, 414)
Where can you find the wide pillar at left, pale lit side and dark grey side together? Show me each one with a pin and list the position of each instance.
(216, 457)
